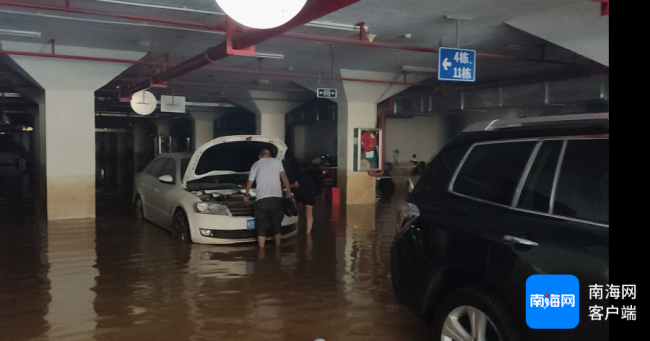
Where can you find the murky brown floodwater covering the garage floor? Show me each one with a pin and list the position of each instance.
(114, 278)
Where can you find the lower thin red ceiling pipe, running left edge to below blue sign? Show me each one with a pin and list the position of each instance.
(150, 63)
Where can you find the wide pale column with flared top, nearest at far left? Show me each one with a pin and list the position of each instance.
(68, 102)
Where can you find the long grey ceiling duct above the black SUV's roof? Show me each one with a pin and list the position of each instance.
(577, 91)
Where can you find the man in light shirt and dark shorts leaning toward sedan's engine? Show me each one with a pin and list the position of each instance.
(269, 174)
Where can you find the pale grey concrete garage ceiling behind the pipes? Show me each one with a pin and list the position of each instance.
(388, 19)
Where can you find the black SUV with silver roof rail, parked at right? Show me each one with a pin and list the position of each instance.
(505, 200)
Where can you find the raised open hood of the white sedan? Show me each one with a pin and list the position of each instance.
(230, 154)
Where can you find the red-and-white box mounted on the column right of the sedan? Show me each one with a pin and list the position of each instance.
(367, 150)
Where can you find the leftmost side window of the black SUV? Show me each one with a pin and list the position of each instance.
(492, 171)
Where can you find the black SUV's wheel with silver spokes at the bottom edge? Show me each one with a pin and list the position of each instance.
(474, 314)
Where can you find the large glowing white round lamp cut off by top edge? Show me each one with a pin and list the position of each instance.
(261, 14)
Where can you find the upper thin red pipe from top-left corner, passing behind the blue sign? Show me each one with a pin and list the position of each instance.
(221, 28)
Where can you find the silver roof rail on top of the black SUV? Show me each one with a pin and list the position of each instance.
(537, 121)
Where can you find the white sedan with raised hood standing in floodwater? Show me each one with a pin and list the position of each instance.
(200, 196)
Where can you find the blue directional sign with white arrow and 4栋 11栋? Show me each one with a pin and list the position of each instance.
(456, 65)
